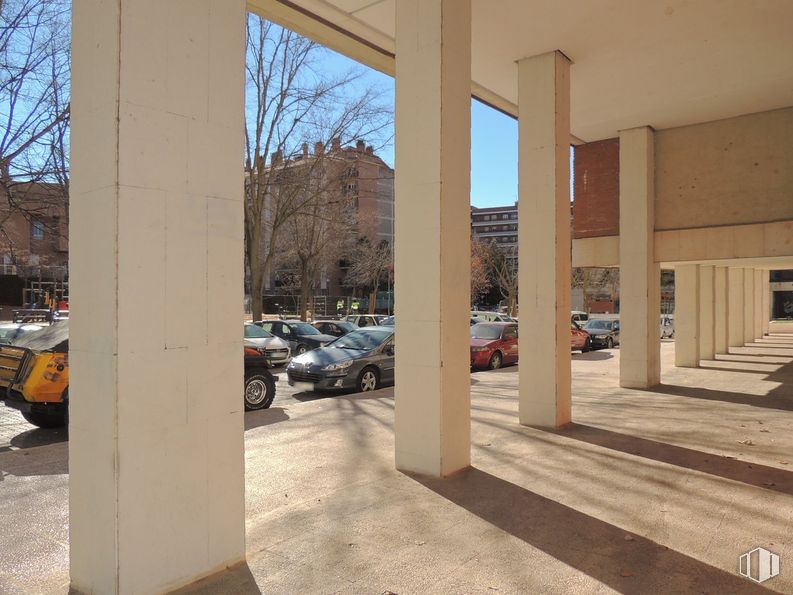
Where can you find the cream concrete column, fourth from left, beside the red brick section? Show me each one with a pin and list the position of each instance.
(640, 275)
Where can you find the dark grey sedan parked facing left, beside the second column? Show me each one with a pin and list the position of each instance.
(362, 360)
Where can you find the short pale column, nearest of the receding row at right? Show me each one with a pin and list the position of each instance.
(687, 300)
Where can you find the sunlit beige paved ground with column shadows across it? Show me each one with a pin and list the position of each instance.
(647, 492)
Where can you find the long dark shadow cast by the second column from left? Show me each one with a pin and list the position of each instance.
(625, 562)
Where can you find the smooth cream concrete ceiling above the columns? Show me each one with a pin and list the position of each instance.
(635, 62)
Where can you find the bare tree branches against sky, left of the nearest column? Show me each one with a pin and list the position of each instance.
(34, 111)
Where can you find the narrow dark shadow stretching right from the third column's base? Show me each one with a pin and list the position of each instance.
(755, 474)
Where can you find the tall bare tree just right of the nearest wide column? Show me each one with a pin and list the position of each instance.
(291, 103)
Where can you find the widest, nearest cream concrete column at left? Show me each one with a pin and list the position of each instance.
(157, 492)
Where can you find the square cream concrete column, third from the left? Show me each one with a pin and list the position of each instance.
(544, 396)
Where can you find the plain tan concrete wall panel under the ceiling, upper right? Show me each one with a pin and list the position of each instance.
(727, 172)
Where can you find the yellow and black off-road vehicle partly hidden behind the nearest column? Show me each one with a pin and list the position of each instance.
(39, 385)
